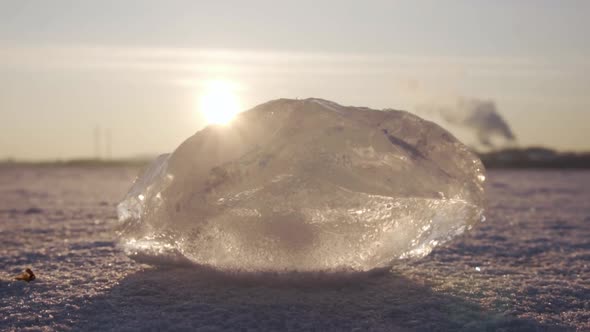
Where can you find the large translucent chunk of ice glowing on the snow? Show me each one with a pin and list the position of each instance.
(305, 185)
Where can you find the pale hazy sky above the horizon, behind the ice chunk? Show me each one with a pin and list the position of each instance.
(138, 67)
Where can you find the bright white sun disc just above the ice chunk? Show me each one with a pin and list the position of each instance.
(218, 102)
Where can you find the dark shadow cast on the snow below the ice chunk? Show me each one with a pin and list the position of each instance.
(185, 298)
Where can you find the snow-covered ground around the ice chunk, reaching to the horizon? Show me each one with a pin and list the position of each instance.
(526, 269)
